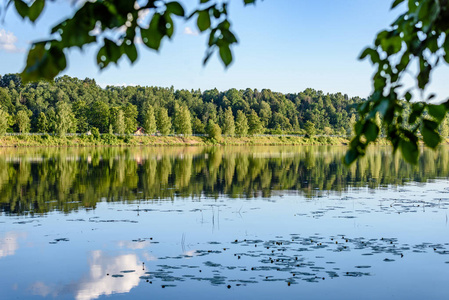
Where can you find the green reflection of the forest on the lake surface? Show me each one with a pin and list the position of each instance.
(41, 180)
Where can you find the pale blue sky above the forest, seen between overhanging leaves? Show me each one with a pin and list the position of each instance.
(284, 45)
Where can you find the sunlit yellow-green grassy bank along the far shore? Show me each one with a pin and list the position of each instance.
(110, 140)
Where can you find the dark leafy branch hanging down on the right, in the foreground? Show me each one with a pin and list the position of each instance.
(415, 36)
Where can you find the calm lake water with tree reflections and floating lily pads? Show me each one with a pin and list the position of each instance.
(224, 222)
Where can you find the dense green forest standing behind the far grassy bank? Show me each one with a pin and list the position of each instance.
(70, 105)
